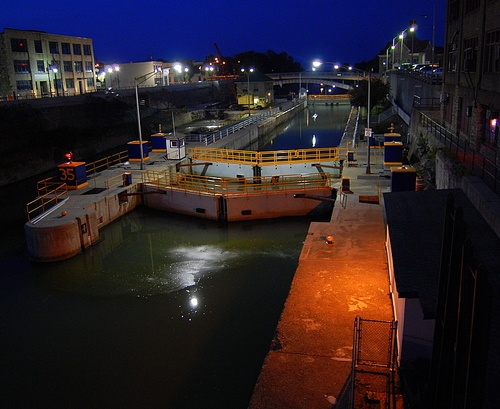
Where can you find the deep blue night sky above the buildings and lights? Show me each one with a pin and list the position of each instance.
(341, 31)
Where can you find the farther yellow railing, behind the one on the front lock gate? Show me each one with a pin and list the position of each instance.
(265, 157)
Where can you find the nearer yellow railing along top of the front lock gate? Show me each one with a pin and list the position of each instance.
(244, 186)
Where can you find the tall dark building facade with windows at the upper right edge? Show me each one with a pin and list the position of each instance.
(471, 90)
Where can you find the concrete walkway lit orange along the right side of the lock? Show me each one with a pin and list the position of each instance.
(310, 358)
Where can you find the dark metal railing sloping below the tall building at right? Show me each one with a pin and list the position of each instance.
(475, 163)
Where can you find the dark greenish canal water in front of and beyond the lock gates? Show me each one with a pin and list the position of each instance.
(164, 312)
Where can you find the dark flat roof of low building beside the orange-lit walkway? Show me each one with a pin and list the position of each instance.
(416, 221)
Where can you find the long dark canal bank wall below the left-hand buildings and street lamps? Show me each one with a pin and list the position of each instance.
(37, 133)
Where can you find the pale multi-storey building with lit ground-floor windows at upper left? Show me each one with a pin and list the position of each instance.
(36, 64)
